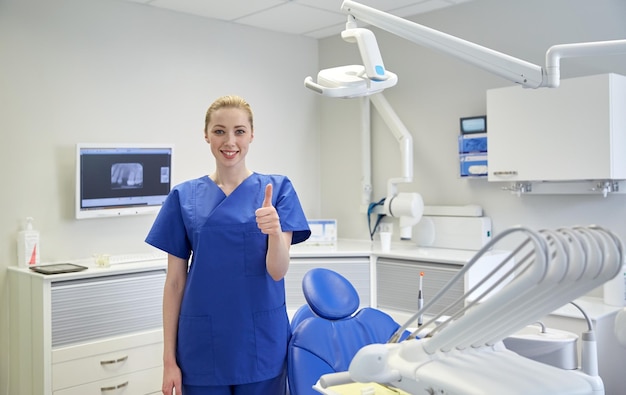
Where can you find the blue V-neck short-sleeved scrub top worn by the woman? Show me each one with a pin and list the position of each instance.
(233, 326)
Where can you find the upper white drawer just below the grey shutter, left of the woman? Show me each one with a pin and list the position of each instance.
(106, 366)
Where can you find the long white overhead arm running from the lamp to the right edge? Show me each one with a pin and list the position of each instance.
(527, 74)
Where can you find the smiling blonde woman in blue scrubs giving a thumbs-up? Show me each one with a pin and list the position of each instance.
(227, 236)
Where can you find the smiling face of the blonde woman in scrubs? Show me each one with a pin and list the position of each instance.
(229, 133)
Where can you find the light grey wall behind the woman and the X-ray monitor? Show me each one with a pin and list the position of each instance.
(110, 71)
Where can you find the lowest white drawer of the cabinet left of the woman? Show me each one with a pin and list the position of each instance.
(139, 383)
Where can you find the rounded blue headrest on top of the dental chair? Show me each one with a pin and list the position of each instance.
(329, 294)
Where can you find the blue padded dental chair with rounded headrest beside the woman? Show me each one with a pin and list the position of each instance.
(327, 332)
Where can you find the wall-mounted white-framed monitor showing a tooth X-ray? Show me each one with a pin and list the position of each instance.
(121, 179)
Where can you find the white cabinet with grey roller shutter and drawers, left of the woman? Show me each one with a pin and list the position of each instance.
(98, 331)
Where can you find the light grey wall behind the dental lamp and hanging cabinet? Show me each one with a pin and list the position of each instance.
(435, 90)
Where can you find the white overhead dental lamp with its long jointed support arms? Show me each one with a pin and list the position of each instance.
(369, 80)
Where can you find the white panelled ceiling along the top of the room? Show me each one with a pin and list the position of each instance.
(311, 18)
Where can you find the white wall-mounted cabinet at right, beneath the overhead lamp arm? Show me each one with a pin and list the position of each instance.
(571, 133)
